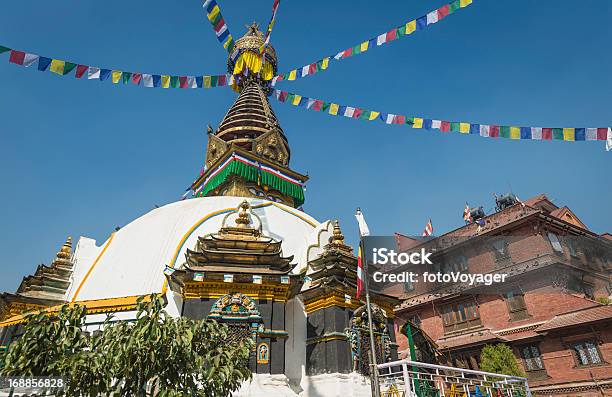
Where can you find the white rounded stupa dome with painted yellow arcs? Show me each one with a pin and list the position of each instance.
(132, 260)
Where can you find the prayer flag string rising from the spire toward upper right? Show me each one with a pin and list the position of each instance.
(406, 29)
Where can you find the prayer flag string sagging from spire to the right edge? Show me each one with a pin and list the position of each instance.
(483, 130)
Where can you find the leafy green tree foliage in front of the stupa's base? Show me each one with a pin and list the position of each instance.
(155, 355)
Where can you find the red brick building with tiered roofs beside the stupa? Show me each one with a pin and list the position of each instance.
(551, 310)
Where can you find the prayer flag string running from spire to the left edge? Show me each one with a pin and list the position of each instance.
(64, 68)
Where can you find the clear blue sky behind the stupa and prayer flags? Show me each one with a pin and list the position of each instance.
(81, 157)
